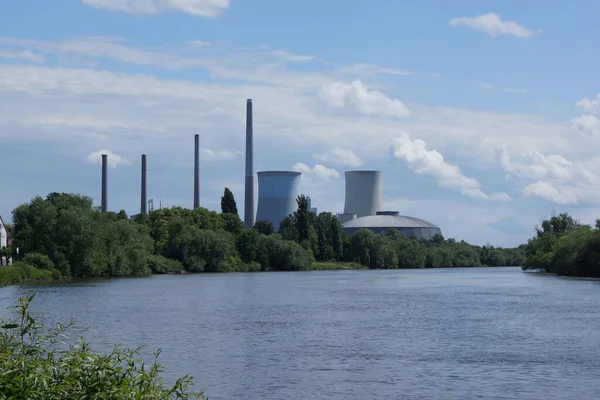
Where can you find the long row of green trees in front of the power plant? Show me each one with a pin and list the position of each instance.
(65, 235)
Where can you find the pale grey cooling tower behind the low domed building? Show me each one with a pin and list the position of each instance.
(363, 193)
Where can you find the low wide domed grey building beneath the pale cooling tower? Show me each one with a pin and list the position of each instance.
(385, 220)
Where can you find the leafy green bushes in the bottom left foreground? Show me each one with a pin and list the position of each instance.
(34, 369)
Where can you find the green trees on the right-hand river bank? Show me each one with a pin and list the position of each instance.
(564, 246)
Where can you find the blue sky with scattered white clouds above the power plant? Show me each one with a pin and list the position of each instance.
(482, 116)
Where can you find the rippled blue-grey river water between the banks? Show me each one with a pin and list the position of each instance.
(482, 333)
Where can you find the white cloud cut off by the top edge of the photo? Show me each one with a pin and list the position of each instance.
(200, 8)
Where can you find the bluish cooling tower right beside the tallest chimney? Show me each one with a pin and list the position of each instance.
(277, 191)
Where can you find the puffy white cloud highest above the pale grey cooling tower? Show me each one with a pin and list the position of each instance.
(355, 98)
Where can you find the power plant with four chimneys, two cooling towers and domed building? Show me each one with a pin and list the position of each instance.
(278, 190)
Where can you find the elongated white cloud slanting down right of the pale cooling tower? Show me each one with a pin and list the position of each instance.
(431, 163)
